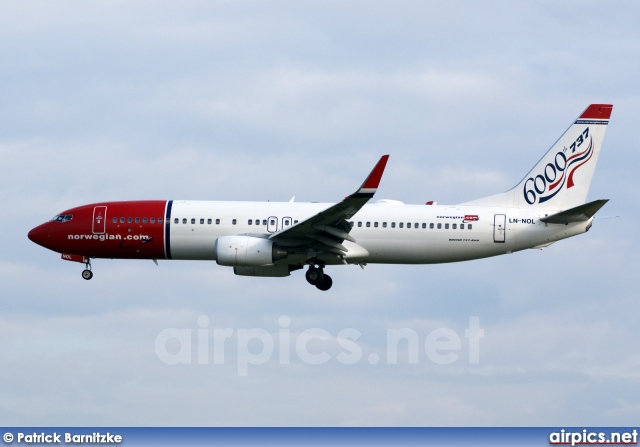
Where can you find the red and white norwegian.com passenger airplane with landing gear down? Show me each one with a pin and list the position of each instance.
(273, 239)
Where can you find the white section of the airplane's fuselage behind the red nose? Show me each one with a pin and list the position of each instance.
(390, 233)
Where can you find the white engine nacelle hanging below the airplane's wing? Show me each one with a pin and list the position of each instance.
(247, 251)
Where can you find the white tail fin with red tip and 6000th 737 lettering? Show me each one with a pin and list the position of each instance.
(561, 179)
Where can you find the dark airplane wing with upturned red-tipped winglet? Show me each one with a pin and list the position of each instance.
(327, 231)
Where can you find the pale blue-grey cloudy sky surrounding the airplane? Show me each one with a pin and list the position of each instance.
(254, 100)
